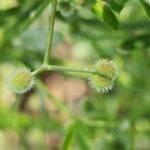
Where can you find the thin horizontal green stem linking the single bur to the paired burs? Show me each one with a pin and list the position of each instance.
(62, 69)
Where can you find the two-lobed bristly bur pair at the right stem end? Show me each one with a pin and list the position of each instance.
(105, 73)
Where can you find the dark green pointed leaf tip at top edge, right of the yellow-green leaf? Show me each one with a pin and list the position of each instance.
(116, 5)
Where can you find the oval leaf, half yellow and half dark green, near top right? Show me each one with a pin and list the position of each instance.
(104, 13)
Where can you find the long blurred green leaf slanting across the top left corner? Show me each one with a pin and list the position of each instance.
(24, 18)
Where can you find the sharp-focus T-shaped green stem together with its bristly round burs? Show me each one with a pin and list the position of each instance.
(101, 76)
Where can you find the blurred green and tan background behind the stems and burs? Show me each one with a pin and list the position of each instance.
(32, 121)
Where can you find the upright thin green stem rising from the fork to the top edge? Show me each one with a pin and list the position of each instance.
(51, 30)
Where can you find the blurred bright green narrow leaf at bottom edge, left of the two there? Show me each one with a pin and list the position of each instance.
(69, 137)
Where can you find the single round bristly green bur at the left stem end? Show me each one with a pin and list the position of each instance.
(21, 80)
